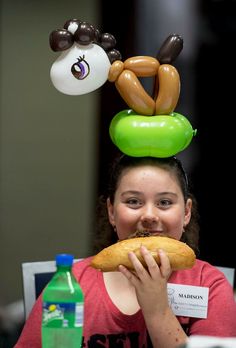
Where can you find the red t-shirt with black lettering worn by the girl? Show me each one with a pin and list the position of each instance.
(105, 326)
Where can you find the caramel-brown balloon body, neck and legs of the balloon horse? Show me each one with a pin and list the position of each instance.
(167, 85)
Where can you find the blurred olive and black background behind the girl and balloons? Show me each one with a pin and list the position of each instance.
(55, 149)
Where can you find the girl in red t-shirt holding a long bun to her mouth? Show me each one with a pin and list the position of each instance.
(131, 309)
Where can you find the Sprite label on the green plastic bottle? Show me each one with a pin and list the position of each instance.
(63, 315)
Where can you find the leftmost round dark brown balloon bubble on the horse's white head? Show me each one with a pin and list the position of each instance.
(60, 40)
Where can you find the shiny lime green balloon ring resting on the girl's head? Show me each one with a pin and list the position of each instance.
(155, 136)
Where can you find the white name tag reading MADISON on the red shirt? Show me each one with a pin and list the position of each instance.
(188, 300)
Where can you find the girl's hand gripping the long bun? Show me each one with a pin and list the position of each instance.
(151, 283)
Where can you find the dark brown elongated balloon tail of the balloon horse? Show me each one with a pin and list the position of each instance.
(170, 49)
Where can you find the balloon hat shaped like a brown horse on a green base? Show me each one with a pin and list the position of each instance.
(150, 127)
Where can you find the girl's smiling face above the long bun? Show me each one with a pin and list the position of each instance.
(149, 198)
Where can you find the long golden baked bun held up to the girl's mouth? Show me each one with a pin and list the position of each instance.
(181, 256)
